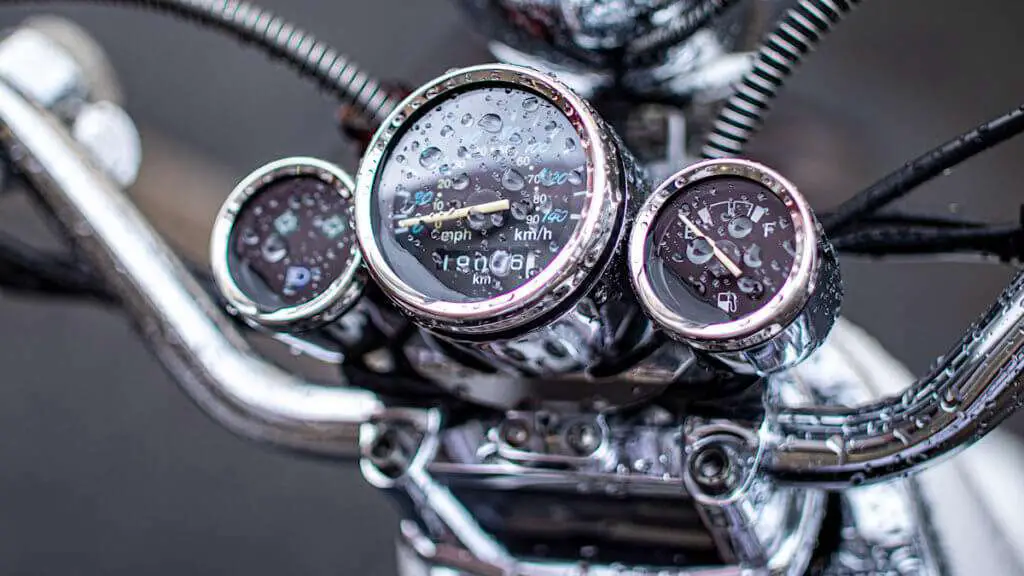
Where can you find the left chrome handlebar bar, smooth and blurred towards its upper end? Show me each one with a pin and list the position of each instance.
(196, 343)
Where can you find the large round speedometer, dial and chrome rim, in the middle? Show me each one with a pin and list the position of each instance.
(488, 189)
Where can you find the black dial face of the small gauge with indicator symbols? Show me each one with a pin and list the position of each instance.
(290, 241)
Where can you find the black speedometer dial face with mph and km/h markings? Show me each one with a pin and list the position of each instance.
(480, 194)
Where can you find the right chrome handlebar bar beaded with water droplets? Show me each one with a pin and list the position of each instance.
(967, 395)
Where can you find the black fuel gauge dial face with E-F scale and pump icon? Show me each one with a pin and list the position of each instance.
(720, 250)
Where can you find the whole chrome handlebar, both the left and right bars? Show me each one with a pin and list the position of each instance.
(968, 393)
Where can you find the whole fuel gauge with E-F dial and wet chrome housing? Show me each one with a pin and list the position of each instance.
(728, 257)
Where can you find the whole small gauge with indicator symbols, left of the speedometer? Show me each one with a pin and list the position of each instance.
(284, 251)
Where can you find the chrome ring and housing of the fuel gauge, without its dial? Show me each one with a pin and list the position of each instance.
(787, 328)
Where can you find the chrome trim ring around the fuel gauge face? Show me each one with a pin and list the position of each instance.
(777, 314)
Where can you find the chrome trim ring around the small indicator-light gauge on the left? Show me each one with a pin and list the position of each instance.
(339, 297)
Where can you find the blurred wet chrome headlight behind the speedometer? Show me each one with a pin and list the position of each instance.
(588, 39)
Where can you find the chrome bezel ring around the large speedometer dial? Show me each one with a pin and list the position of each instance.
(572, 267)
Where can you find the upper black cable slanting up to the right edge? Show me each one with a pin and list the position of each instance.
(926, 168)
